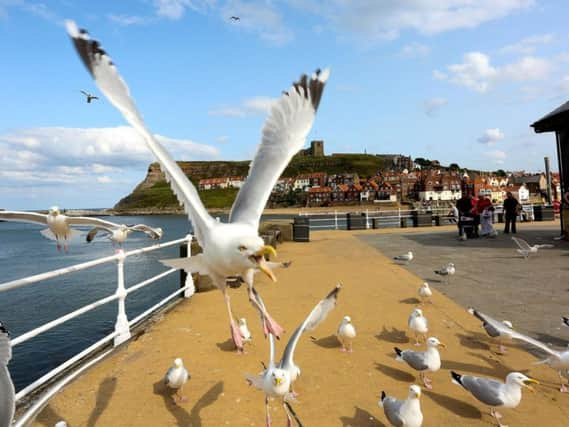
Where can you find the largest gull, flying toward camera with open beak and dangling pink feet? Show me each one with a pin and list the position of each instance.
(234, 248)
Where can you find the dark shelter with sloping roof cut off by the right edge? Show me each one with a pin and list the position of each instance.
(558, 121)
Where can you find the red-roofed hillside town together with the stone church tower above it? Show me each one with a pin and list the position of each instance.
(406, 181)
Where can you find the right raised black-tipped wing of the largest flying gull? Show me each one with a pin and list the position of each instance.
(284, 133)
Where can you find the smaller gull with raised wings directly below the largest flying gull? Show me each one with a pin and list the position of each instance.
(277, 379)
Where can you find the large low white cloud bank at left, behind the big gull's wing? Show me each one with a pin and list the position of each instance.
(82, 155)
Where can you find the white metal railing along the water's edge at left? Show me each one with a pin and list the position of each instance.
(123, 326)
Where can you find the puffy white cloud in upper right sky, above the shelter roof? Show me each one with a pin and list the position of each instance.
(477, 73)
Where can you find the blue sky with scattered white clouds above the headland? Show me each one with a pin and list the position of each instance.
(454, 80)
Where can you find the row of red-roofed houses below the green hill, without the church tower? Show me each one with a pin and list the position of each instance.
(319, 188)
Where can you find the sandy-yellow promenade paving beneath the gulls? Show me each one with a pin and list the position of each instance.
(336, 389)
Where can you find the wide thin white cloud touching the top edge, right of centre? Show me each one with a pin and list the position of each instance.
(386, 19)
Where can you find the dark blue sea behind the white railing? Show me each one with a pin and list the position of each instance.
(24, 252)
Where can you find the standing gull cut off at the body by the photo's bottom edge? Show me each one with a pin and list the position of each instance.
(403, 413)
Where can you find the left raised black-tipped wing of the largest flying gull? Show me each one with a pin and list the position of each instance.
(115, 89)
